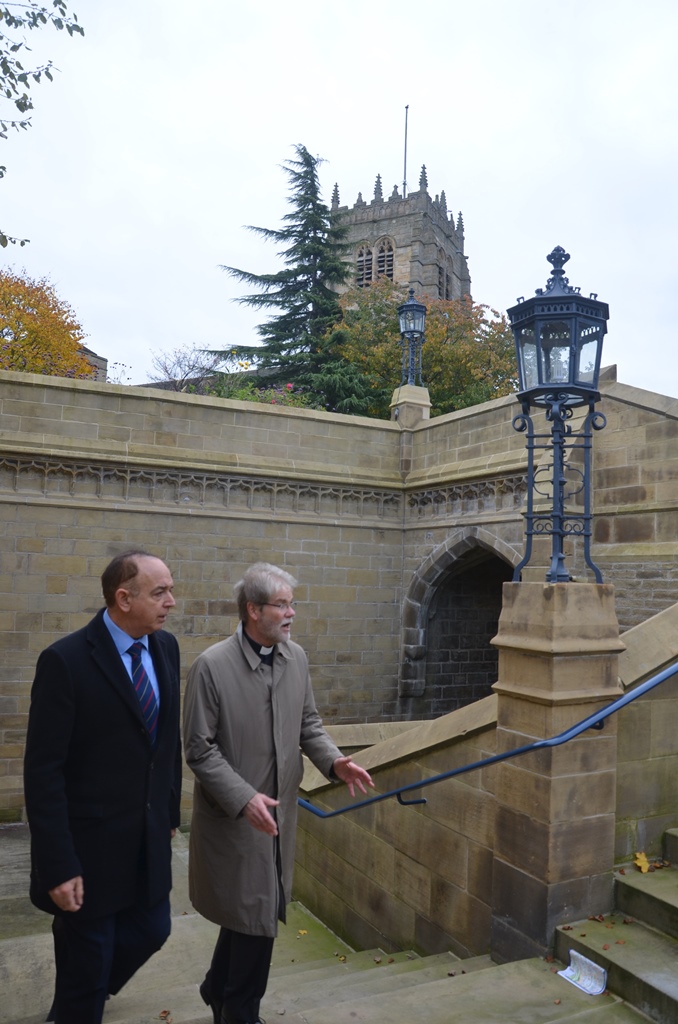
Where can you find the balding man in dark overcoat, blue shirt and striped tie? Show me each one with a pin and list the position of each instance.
(103, 781)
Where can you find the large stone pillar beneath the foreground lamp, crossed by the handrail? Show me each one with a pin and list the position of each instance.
(555, 834)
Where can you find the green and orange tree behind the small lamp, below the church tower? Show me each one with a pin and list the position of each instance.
(469, 356)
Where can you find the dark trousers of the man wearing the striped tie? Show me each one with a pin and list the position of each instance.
(98, 958)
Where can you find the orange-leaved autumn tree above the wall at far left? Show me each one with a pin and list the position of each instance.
(39, 332)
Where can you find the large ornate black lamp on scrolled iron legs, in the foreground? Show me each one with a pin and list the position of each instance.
(559, 343)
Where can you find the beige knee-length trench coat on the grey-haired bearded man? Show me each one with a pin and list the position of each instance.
(245, 726)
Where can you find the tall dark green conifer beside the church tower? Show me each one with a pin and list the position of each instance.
(314, 252)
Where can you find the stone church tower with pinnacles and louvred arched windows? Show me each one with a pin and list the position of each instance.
(413, 241)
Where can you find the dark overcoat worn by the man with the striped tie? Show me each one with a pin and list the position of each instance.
(101, 801)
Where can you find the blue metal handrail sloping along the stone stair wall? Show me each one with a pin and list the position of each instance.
(595, 721)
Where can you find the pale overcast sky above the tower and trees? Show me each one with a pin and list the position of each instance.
(546, 123)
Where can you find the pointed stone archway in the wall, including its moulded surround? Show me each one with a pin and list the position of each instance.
(450, 615)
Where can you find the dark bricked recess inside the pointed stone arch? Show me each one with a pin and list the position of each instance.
(463, 617)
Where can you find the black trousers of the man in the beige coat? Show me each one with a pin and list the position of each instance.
(239, 974)
